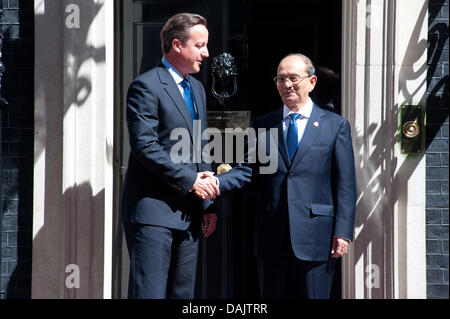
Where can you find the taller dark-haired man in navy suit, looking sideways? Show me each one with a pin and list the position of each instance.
(161, 214)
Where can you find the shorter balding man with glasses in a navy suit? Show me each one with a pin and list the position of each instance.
(305, 210)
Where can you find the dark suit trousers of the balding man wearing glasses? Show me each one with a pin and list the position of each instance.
(287, 277)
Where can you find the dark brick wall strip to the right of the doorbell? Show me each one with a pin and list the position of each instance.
(437, 151)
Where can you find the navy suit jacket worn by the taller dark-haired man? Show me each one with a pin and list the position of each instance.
(156, 190)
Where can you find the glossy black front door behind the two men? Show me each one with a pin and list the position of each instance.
(257, 33)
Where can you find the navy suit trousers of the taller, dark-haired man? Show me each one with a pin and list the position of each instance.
(163, 262)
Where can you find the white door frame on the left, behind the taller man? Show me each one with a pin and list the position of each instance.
(73, 158)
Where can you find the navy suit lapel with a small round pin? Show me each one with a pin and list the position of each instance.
(313, 127)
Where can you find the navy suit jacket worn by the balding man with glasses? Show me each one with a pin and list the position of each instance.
(314, 196)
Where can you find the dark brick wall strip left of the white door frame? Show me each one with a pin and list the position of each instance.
(17, 147)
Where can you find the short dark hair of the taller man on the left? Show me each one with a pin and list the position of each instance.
(177, 27)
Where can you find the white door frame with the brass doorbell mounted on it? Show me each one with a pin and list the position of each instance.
(384, 66)
